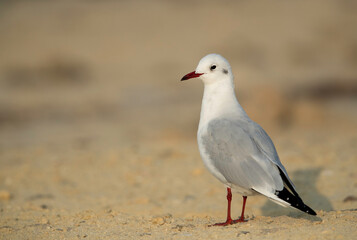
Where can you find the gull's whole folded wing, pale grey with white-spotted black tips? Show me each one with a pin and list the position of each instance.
(245, 155)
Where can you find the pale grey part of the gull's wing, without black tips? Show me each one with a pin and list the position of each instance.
(238, 157)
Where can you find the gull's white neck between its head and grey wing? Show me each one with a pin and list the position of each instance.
(219, 100)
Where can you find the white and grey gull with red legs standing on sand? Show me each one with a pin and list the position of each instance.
(235, 149)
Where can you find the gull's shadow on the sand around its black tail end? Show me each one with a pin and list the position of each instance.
(305, 182)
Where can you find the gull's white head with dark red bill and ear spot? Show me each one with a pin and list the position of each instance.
(211, 69)
